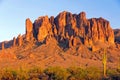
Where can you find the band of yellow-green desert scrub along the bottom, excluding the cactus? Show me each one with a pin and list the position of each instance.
(58, 73)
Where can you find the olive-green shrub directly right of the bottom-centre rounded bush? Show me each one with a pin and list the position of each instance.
(77, 73)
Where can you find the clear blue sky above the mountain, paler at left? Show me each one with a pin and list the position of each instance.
(13, 13)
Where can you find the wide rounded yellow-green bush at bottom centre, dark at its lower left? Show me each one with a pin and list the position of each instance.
(56, 73)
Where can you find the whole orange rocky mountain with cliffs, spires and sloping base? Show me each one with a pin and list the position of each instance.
(63, 40)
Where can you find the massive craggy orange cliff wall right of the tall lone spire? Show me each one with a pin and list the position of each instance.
(66, 26)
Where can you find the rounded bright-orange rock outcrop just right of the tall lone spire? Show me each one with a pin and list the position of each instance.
(42, 28)
